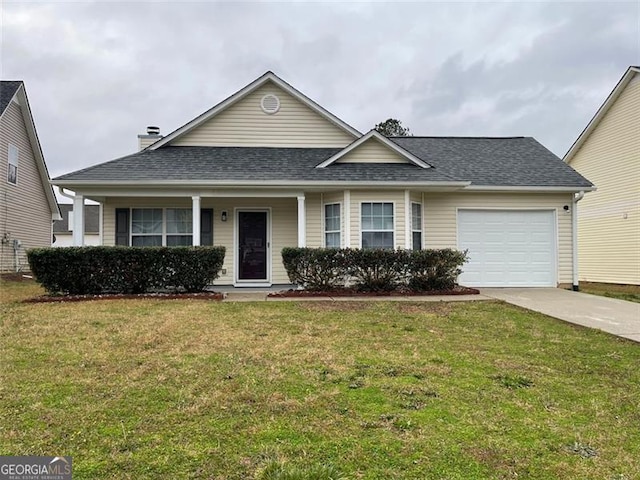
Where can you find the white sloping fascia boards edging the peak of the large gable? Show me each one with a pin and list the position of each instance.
(242, 93)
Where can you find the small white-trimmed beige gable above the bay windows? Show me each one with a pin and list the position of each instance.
(374, 148)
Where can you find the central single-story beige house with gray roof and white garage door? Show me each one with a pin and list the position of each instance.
(268, 168)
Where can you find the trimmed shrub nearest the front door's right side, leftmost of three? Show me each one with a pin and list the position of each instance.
(315, 269)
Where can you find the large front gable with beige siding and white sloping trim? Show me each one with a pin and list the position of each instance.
(240, 120)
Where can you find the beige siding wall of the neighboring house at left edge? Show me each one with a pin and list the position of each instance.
(25, 213)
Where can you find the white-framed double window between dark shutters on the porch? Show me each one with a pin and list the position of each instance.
(154, 227)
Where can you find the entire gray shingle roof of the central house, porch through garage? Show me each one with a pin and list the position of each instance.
(482, 161)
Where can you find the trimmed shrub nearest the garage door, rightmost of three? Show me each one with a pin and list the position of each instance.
(435, 269)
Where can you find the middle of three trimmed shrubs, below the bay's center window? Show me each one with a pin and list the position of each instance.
(374, 270)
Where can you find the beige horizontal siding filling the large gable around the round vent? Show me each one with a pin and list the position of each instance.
(245, 124)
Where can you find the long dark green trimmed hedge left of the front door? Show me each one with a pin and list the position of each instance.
(97, 270)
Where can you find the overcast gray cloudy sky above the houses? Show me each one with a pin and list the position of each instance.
(97, 73)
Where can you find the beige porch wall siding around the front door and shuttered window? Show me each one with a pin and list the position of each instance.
(283, 225)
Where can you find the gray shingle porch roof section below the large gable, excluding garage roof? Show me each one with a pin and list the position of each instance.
(247, 163)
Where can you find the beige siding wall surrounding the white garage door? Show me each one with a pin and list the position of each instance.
(440, 217)
